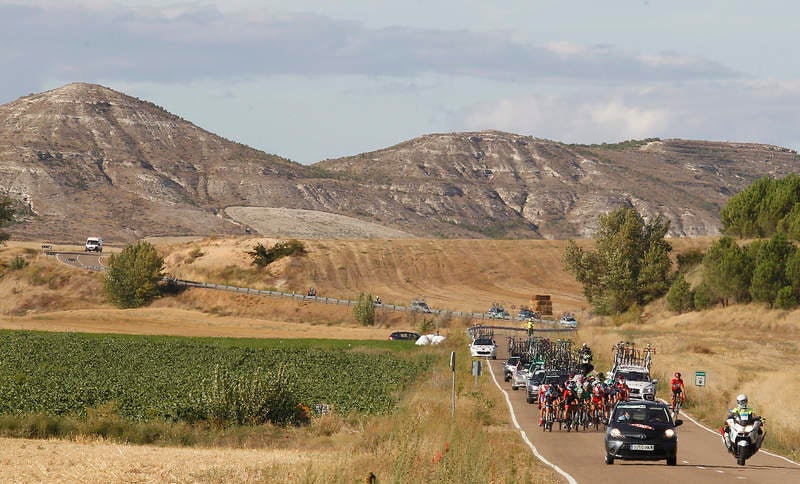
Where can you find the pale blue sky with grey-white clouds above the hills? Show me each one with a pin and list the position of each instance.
(316, 79)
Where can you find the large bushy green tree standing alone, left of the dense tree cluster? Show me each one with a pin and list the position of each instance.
(630, 265)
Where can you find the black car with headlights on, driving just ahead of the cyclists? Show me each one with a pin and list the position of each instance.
(642, 430)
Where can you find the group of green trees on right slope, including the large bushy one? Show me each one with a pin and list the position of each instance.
(630, 265)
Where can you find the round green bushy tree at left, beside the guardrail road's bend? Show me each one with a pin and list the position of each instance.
(133, 277)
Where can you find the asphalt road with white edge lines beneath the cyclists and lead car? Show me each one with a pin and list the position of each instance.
(701, 456)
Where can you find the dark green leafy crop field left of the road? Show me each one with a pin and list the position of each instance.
(167, 377)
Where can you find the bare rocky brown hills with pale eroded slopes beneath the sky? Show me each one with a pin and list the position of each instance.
(84, 159)
